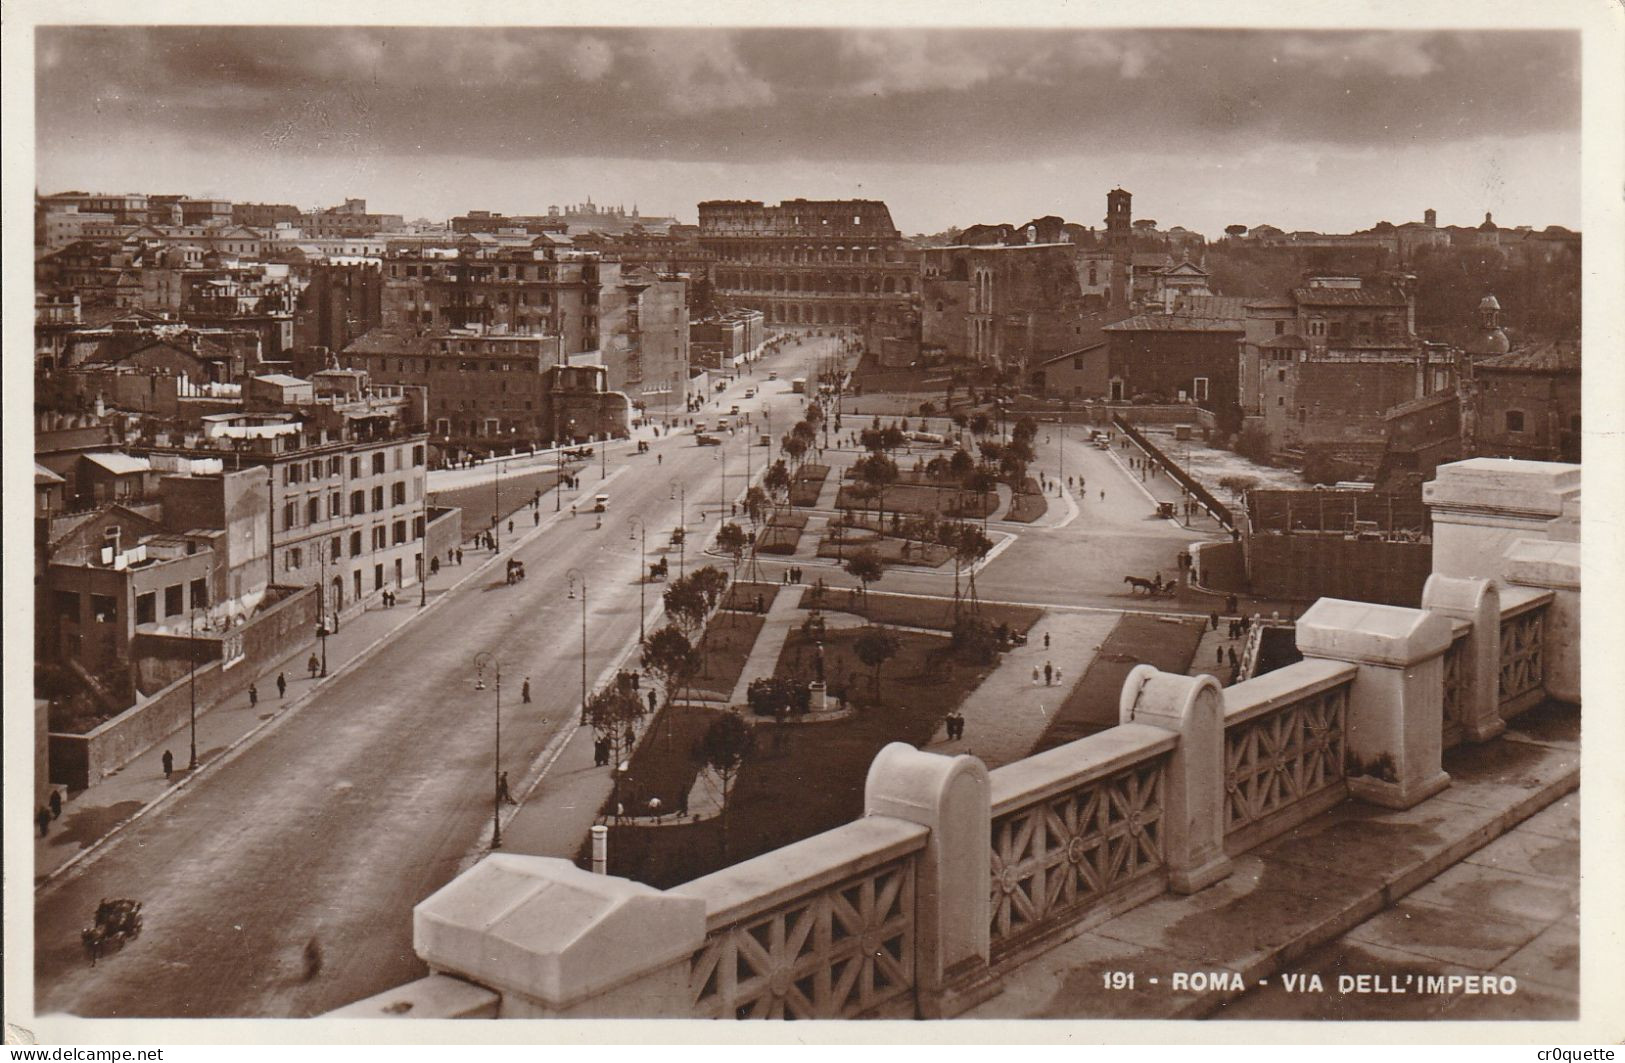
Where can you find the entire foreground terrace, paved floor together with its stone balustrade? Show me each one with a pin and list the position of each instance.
(1366, 802)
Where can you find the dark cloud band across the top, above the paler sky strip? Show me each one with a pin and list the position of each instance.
(758, 95)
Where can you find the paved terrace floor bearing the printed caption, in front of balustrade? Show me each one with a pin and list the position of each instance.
(1470, 905)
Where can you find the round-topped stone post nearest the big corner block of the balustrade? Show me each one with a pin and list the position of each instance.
(953, 885)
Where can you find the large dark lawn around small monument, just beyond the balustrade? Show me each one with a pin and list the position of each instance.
(805, 779)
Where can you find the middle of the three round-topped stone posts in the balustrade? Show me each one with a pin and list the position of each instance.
(1194, 812)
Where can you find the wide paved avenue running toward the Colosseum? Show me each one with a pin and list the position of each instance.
(378, 791)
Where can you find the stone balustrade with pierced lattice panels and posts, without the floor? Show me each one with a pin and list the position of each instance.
(956, 874)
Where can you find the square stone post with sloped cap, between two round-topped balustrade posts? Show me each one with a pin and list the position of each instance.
(1397, 705)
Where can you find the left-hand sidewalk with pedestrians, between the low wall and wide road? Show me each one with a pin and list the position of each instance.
(92, 815)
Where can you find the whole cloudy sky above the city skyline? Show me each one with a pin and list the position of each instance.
(1324, 131)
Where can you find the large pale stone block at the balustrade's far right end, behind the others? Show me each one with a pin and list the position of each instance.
(1483, 506)
